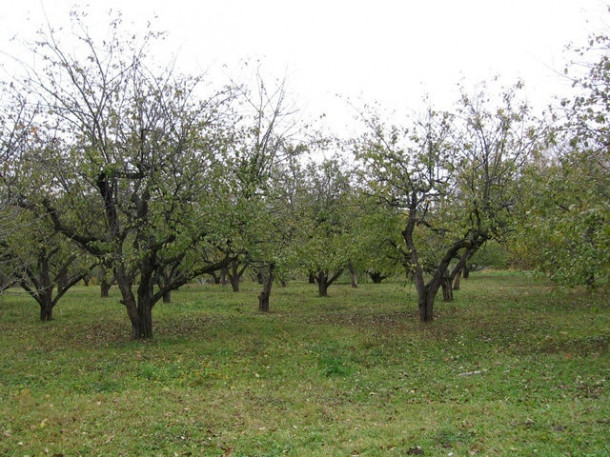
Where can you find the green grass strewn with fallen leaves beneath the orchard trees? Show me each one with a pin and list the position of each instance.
(510, 367)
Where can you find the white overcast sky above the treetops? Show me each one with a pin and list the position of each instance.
(391, 51)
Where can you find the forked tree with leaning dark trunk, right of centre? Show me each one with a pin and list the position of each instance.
(450, 176)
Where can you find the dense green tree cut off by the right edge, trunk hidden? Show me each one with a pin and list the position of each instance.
(566, 207)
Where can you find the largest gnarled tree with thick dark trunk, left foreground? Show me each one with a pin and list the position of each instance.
(125, 163)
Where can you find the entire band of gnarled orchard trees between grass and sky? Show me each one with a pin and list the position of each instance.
(112, 161)
